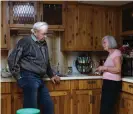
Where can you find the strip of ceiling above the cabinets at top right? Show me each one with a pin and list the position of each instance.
(107, 2)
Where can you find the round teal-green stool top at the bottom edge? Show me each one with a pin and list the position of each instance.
(28, 111)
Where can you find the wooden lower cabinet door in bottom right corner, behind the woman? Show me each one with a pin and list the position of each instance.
(126, 104)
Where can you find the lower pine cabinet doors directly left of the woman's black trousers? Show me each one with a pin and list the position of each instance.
(86, 101)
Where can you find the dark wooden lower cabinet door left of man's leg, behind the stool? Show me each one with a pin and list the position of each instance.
(17, 102)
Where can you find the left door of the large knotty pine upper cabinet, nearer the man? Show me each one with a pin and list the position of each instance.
(78, 29)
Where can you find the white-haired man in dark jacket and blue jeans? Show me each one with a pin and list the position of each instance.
(28, 63)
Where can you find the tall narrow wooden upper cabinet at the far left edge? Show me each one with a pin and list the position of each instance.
(5, 34)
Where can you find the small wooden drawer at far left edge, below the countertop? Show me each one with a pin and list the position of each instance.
(5, 87)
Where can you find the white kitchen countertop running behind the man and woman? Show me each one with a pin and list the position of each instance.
(72, 77)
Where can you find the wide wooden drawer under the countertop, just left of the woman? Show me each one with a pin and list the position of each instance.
(86, 84)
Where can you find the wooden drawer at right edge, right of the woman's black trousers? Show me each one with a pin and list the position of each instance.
(127, 87)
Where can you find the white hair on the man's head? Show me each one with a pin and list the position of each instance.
(38, 26)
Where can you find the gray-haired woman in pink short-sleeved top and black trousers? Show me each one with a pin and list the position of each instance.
(111, 75)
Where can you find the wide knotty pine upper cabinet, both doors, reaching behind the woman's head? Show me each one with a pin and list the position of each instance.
(88, 25)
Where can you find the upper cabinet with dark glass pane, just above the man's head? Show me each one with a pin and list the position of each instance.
(53, 14)
